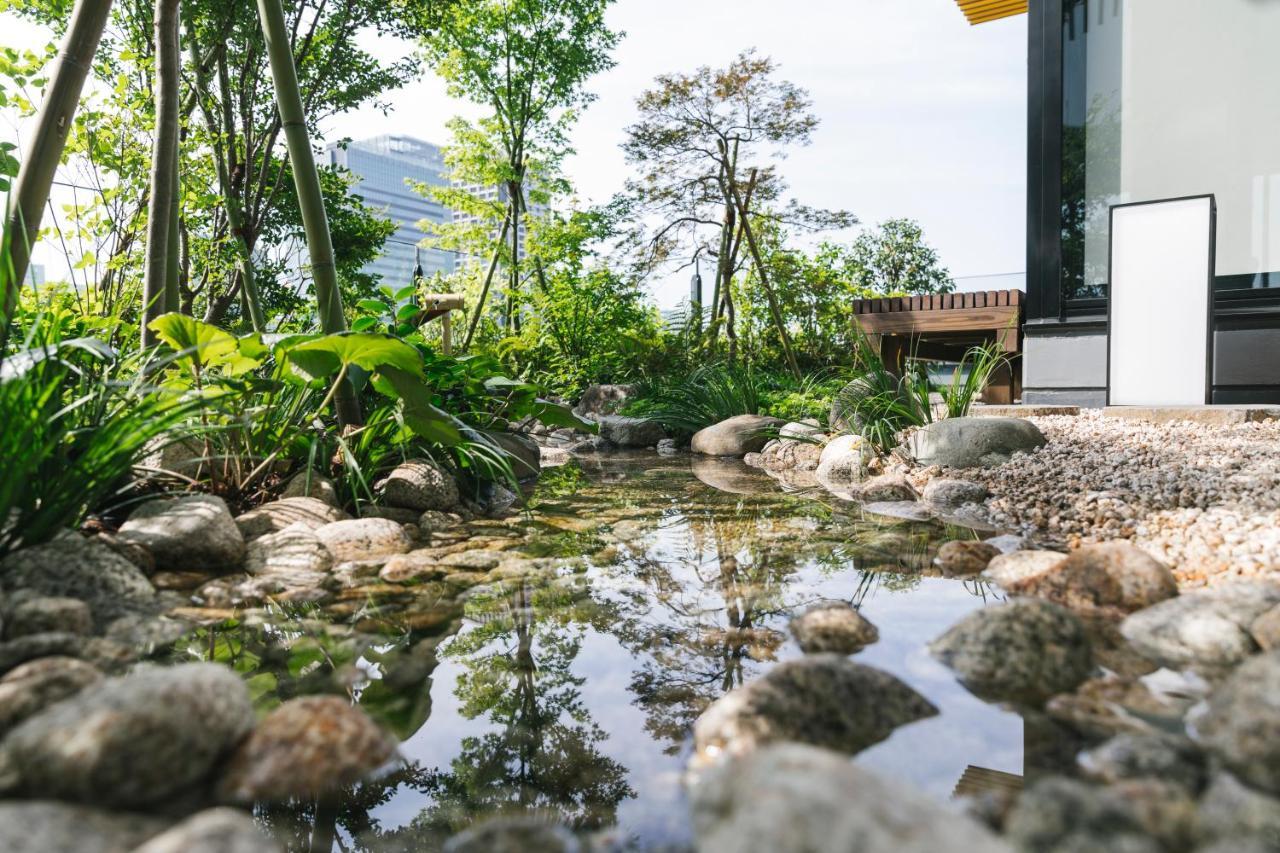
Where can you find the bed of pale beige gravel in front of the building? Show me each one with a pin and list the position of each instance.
(1206, 500)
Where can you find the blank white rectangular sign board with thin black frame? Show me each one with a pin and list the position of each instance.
(1159, 346)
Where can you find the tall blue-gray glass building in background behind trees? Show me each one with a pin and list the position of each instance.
(383, 165)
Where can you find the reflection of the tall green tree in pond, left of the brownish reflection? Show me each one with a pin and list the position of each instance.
(545, 752)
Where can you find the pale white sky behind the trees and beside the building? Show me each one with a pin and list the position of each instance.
(922, 115)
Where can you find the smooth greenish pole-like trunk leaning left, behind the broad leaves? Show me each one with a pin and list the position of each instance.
(307, 179)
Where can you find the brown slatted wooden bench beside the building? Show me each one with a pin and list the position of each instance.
(944, 327)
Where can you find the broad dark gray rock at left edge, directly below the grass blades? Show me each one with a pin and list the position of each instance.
(79, 568)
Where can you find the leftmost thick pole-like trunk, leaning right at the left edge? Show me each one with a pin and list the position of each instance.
(45, 150)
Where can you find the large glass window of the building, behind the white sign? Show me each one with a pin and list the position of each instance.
(1165, 99)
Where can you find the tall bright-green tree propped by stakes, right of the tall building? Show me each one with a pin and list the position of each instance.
(528, 61)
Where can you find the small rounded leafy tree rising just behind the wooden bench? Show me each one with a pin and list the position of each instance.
(894, 259)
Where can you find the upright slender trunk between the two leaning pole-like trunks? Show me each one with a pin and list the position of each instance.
(163, 165)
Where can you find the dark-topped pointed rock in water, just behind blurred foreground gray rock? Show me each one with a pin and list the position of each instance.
(822, 700)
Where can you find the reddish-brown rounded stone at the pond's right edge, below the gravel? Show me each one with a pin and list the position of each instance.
(1114, 578)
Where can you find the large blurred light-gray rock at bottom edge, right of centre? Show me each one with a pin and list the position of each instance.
(793, 799)
